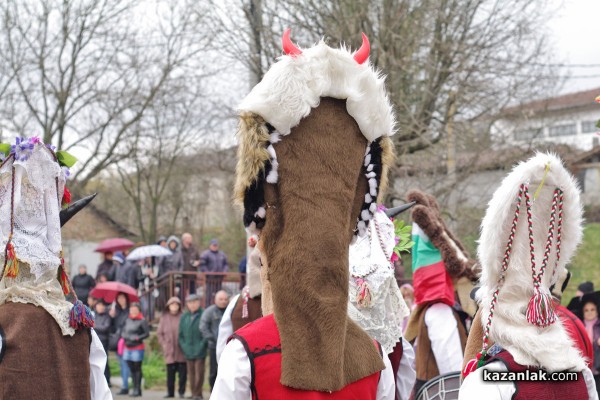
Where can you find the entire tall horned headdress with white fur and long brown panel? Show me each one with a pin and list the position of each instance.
(314, 155)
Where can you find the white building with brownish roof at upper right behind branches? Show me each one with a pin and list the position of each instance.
(569, 119)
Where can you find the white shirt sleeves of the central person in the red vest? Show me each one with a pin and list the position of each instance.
(234, 376)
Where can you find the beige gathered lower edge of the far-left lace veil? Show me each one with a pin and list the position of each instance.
(44, 292)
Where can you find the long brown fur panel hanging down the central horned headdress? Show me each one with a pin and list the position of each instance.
(311, 214)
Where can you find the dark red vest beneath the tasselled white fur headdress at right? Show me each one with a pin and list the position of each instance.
(542, 390)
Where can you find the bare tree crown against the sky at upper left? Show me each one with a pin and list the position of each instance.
(84, 74)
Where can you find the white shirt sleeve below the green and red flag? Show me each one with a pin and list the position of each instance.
(445, 340)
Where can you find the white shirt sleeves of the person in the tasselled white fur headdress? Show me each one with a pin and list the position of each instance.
(474, 388)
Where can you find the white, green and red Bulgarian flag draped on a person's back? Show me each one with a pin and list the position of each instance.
(430, 278)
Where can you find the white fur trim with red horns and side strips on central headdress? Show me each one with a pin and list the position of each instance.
(288, 92)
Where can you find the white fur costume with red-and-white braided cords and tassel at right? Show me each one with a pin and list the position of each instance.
(522, 255)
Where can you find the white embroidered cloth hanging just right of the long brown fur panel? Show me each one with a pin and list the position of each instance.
(382, 320)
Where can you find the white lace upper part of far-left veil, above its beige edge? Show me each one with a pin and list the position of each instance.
(36, 237)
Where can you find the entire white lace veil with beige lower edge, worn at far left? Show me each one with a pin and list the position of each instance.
(38, 189)
